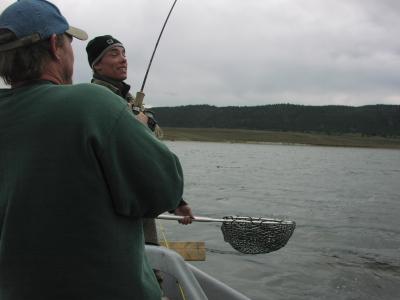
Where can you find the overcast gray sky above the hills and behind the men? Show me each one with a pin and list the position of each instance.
(250, 52)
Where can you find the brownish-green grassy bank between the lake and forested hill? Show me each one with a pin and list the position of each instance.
(260, 136)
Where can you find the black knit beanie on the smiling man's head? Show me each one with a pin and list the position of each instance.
(98, 46)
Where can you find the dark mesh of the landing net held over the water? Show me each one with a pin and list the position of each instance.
(256, 235)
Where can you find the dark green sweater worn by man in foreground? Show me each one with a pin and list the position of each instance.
(77, 174)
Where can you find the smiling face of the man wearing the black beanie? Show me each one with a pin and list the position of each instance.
(113, 64)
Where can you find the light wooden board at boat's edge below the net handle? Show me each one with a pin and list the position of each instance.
(190, 251)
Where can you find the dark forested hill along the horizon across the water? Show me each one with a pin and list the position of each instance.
(382, 120)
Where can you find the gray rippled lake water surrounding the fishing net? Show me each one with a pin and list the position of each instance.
(345, 201)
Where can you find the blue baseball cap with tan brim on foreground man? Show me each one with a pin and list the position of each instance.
(34, 20)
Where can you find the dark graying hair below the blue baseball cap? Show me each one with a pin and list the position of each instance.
(24, 63)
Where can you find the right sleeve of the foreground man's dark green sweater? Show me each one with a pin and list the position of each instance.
(143, 176)
